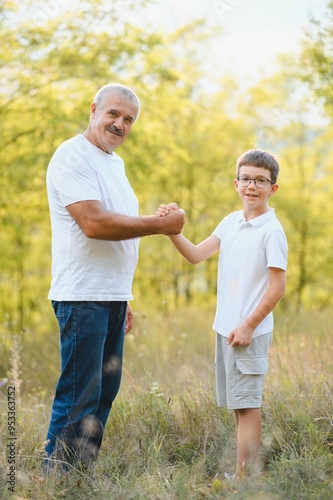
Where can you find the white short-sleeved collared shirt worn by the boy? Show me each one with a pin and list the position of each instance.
(247, 250)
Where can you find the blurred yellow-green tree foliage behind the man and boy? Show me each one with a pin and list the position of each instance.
(183, 148)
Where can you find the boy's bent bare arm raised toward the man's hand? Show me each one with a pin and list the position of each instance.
(196, 253)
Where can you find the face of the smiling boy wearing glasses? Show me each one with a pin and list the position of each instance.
(254, 197)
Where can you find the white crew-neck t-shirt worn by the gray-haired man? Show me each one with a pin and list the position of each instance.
(85, 269)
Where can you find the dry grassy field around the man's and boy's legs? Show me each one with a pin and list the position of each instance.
(166, 439)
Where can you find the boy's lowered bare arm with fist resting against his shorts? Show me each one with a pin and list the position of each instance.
(242, 335)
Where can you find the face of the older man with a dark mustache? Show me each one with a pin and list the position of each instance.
(111, 122)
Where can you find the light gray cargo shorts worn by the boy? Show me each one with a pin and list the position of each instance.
(240, 372)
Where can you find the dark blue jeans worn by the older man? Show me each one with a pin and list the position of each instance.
(91, 348)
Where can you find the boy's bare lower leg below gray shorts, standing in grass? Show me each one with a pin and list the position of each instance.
(248, 423)
